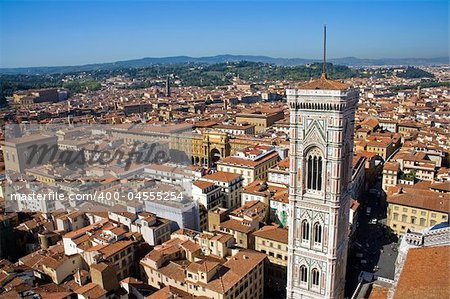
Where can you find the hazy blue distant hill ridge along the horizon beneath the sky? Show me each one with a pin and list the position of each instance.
(148, 61)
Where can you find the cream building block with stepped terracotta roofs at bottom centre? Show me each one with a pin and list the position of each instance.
(180, 264)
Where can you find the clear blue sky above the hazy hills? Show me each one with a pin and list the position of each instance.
(46, 33)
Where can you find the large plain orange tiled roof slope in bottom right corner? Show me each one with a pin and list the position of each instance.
(425, 274)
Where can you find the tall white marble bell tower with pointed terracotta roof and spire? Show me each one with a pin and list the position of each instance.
(322, 114)
